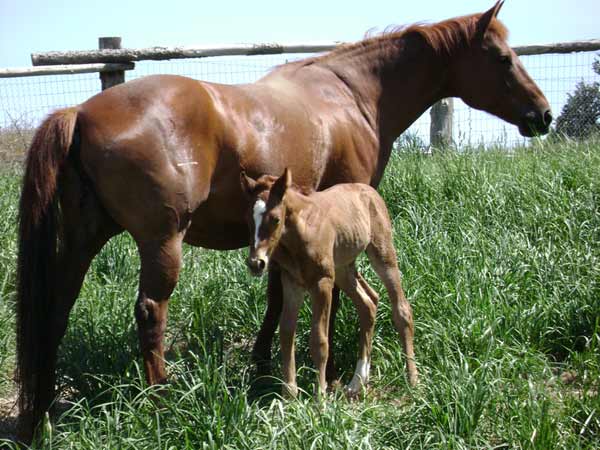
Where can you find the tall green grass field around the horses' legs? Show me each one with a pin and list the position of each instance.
(501, 261)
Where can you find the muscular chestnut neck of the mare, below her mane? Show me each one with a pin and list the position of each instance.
(394, 79)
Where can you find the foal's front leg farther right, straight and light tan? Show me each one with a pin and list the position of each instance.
(319, 343)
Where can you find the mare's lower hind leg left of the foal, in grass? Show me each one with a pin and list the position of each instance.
(161, 263)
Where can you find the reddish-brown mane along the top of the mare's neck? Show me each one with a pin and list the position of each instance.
(443, 37)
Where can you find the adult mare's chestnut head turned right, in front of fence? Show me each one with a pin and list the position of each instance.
(488, 75)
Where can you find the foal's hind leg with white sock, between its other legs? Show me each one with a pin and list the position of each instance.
(364, 299)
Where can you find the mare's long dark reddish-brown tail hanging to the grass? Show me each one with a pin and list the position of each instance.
(39, 228)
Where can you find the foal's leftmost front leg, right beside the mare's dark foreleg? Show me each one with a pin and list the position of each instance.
(292, 301)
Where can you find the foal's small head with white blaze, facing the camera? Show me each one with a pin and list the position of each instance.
(266, 219)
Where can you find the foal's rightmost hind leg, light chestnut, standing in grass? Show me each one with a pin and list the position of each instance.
(383, 259)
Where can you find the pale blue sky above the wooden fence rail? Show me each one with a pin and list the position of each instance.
(28, 26)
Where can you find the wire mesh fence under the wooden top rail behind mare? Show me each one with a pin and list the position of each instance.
(25, 101)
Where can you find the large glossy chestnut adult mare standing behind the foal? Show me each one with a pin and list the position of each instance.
(160, 157)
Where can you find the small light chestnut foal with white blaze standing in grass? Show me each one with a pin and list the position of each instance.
(315, 240)
